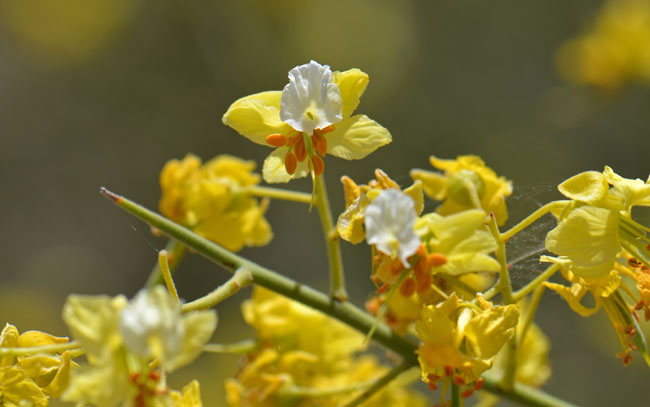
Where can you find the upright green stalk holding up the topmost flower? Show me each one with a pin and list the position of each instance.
(337, 280)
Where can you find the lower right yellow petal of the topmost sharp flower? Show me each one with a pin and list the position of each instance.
(356, 137)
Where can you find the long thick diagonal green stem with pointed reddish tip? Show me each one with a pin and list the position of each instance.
(344, 312)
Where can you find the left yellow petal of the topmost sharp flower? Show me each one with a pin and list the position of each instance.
(256, 116)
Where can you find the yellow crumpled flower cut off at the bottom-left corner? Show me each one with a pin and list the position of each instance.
(40, 376)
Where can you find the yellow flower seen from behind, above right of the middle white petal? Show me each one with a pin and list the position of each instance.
(465, 179)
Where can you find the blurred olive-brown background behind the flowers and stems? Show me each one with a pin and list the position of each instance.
(103, 93)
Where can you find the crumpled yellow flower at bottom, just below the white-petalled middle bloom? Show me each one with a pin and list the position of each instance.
(482, 331)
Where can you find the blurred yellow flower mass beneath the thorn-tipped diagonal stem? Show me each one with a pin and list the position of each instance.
(307, 359)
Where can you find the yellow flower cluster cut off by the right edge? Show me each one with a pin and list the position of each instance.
(598, 243)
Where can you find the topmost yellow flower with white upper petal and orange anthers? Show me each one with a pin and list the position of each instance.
(310, 118)
